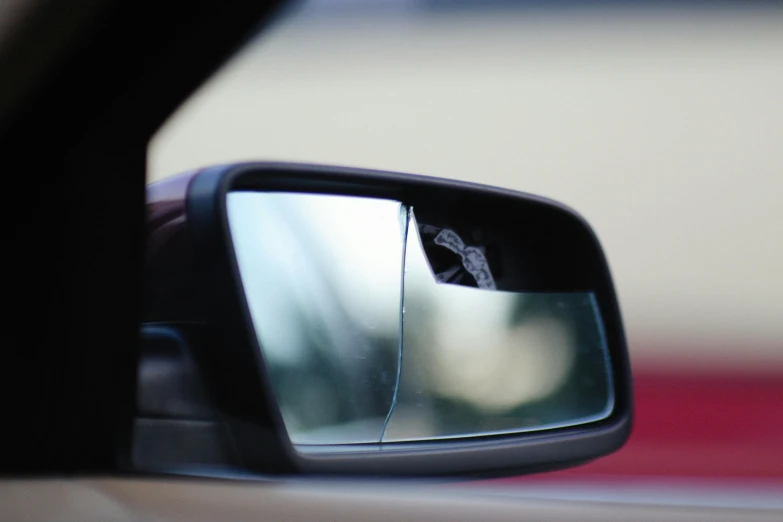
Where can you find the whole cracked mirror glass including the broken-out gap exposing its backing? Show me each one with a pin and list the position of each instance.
(381, 322)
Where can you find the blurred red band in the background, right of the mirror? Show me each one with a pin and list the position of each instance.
(716, 426)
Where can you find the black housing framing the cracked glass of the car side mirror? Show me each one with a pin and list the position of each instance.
(236, 375)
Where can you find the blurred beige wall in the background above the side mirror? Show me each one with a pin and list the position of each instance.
(664, 129)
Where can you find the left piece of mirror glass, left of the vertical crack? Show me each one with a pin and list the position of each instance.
(322, 276)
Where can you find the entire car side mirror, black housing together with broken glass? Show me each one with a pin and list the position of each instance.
(385, 324)
